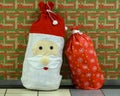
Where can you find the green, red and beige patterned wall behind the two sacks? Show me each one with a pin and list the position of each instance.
(100, 19)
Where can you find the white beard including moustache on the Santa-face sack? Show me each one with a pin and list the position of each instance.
(34, 76)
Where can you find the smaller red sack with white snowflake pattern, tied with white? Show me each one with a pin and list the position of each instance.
(85, 70)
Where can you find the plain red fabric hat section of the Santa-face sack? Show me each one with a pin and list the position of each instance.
(45, 24)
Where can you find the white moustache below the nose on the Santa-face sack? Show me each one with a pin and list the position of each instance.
(54, 62)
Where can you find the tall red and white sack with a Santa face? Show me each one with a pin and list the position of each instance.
(43, 57)
